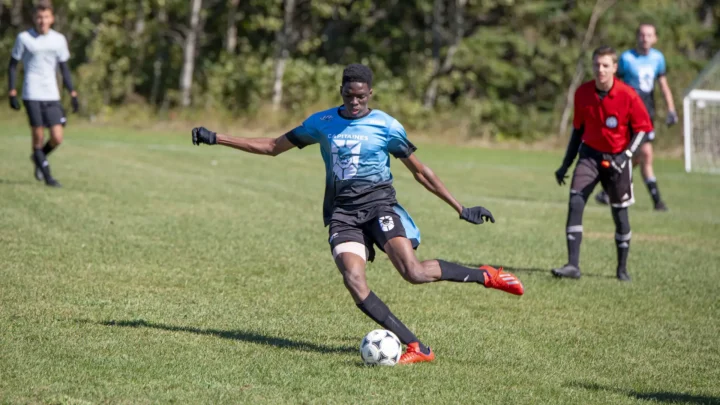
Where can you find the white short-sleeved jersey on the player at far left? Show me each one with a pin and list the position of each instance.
(40, 55)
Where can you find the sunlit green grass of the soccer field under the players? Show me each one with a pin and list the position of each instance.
(164, 272)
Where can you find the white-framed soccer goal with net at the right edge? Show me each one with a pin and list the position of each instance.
(701, 122)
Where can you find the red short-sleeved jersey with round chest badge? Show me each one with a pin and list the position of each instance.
(608, 121)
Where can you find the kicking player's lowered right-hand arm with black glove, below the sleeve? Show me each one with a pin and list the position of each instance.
(425, 176)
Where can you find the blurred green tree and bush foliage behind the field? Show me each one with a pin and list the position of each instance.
(508, 78)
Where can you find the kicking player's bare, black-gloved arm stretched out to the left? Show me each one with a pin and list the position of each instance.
(258, 146)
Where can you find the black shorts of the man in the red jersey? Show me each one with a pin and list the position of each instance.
(589, 172)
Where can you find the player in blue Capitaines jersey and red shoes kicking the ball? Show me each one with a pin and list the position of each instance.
(360, 207)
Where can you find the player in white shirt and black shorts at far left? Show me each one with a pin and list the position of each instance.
(42, 50)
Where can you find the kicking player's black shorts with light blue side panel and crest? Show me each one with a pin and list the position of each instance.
(376, 230)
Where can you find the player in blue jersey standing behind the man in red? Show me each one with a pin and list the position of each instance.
(640, 68)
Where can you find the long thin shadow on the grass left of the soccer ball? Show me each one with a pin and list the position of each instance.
(245, 336)
